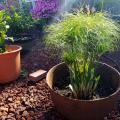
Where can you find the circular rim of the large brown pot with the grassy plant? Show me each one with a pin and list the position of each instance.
(91, 100)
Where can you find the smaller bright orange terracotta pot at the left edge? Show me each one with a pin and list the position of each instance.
(10, 66)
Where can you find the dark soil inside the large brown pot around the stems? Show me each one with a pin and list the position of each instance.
(104, 88)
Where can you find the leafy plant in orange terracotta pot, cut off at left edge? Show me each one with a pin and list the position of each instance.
(9, 55)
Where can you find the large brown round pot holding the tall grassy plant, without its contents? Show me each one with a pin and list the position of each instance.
(74, 109)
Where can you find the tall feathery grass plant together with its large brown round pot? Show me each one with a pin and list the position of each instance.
(82, 88)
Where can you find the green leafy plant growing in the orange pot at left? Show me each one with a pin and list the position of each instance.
(3, 29)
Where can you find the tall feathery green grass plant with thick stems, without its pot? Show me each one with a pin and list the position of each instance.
(83, 39)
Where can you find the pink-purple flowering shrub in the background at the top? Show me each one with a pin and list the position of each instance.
(45, 8)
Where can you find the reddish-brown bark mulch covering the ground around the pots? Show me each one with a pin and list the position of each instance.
(20, 100)
